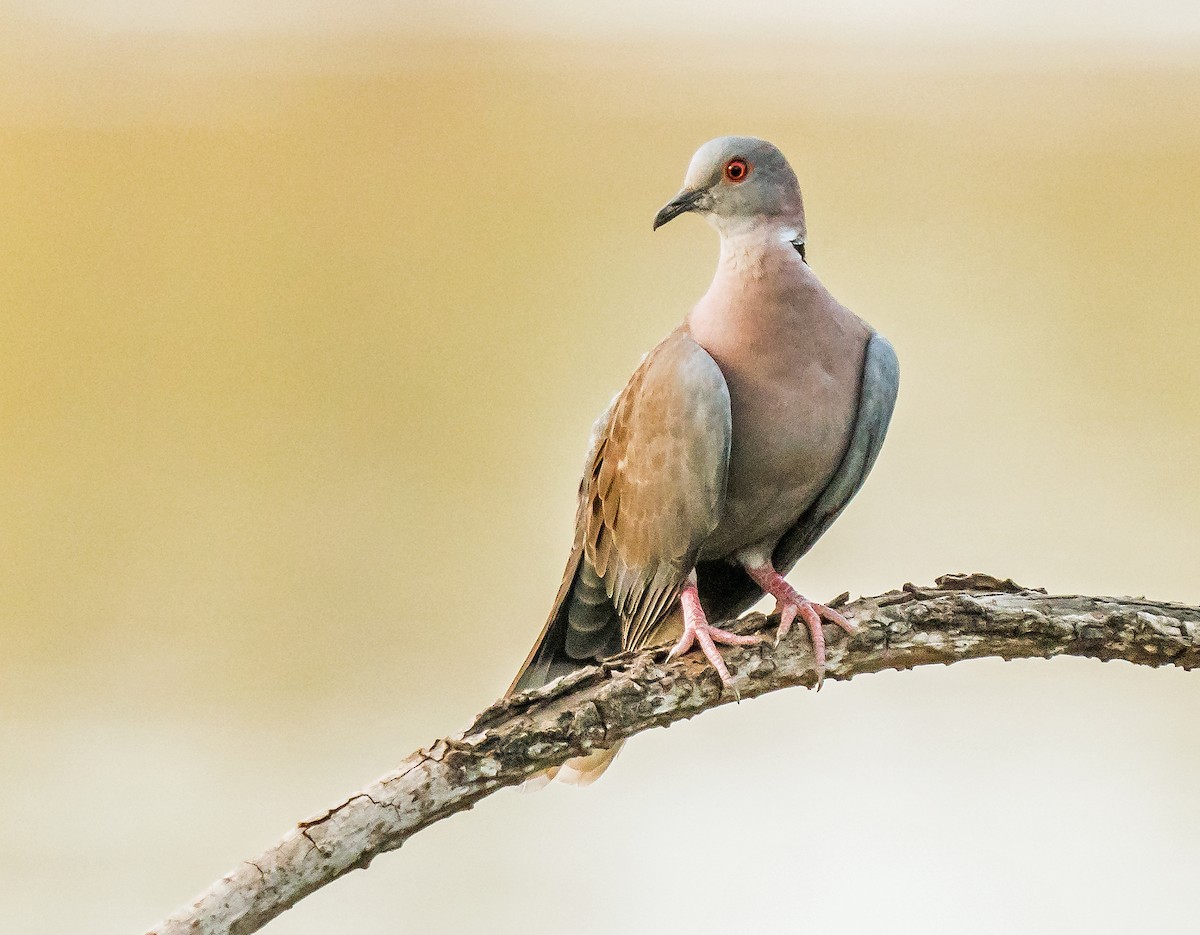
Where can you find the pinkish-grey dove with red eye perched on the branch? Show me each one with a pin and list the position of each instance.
(734, 447)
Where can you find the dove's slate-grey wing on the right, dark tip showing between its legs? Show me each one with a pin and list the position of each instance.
(725, 589)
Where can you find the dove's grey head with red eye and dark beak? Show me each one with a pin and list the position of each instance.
(739, 183)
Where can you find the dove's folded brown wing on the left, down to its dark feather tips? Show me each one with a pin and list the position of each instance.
(653, 489)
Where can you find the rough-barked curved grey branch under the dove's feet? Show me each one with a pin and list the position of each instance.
(962, 618)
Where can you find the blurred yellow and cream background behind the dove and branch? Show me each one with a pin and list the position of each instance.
(305, 315)
